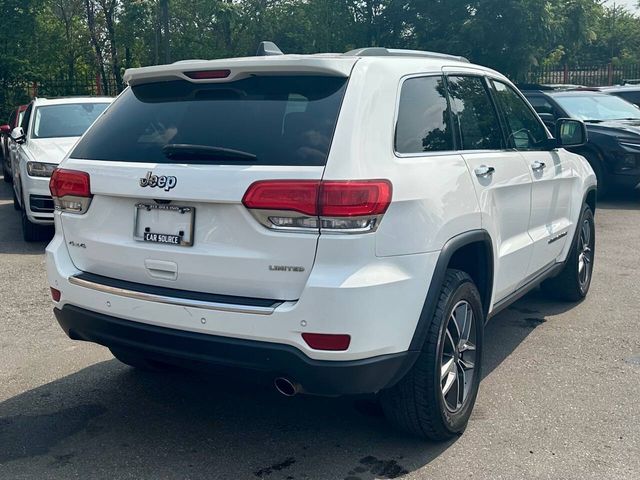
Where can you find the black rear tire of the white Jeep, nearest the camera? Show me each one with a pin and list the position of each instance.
(417, 404)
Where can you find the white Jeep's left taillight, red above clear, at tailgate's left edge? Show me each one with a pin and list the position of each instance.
(71, 190)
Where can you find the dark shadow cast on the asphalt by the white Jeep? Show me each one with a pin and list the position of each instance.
(110, 421)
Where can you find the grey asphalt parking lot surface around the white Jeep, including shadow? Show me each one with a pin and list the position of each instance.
(560, 398)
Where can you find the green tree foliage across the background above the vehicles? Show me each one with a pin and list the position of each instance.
(74, 38)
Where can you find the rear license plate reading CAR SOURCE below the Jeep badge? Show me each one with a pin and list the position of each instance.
(167, 224)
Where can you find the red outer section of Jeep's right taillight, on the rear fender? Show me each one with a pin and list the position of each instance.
(354, 198)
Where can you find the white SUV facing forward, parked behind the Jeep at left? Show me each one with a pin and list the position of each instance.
(49, 128)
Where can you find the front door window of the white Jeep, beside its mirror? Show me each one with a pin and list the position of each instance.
(524, 130)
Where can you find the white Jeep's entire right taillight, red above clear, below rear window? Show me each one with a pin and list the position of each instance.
(309, 205)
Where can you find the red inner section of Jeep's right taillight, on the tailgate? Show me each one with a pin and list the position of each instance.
(290, 195)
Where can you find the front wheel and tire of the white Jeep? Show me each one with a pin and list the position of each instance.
(571, 284)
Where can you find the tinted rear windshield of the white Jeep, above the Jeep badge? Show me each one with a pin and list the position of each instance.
(259, 120)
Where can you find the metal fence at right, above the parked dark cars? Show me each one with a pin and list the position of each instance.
(588, 76)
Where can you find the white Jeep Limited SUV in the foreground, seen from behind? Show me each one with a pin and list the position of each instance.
(343, 223)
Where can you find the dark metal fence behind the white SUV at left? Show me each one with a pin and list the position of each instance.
(14, 93)
